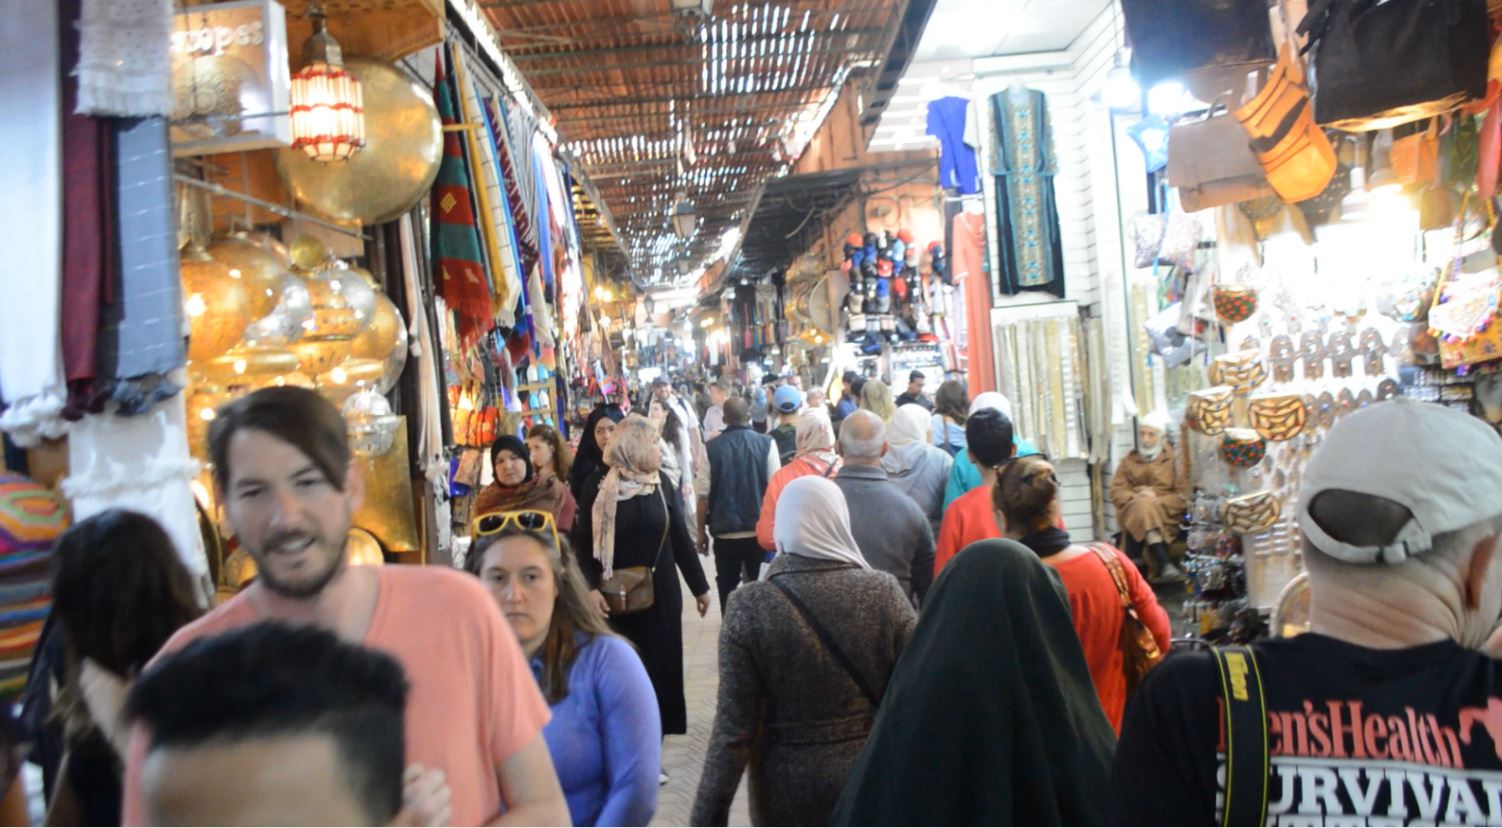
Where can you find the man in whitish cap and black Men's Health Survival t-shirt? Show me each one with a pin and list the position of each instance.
(1386, 712)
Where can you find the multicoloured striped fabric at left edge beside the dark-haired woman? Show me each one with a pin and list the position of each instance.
(32, 516)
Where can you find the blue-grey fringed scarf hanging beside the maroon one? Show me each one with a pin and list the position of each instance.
(142, 337)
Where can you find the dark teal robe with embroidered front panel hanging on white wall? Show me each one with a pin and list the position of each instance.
(1027, 214)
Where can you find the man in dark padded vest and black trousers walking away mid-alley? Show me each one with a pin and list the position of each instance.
(741, 464)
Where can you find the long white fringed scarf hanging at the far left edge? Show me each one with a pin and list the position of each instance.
(31, 223)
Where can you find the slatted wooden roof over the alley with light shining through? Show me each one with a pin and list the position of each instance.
(660, 106)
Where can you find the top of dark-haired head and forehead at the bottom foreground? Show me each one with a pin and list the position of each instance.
(273, 725)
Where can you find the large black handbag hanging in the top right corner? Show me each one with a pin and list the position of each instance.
(1441, 46)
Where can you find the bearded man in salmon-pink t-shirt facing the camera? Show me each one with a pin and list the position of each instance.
(291, 489)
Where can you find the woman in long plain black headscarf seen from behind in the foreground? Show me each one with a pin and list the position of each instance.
(991, 718)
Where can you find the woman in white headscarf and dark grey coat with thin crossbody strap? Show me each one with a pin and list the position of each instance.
(804, 660)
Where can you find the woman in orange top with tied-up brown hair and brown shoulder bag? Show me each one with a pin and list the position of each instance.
(1028, 498)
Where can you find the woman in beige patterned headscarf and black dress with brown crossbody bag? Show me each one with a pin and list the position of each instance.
(638, 521)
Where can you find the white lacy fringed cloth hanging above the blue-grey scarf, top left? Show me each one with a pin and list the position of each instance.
(125, 58)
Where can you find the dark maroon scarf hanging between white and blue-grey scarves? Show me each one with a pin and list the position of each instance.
(89, 231)
